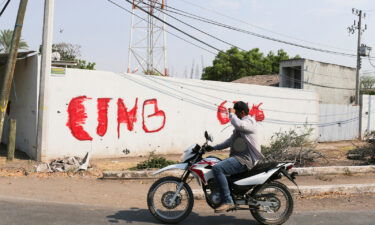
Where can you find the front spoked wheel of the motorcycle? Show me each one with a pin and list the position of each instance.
(165, 204)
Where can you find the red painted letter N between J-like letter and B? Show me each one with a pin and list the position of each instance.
(125, 116)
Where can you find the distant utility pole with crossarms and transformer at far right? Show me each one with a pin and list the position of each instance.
(352, 29)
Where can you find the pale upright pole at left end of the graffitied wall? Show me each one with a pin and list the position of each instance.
(44, 78)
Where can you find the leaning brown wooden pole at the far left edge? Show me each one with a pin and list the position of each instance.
(11, 63)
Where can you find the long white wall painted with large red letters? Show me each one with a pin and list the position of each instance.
(190, 108)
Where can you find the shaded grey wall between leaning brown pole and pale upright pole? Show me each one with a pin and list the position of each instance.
(23, 105)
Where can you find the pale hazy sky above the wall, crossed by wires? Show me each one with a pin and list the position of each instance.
(103, 30)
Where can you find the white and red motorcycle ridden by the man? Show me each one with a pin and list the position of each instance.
(170, 199)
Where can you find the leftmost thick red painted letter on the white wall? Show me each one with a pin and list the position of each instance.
(77, 117)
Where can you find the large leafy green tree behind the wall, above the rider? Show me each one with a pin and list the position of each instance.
(234, 64)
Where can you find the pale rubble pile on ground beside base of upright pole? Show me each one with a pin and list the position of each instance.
(67, 164)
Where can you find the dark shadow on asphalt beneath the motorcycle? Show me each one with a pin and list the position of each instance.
(144, 216)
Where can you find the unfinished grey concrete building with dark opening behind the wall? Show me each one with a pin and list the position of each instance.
(335, 84)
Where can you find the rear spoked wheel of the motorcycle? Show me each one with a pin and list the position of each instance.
(276, 203)
